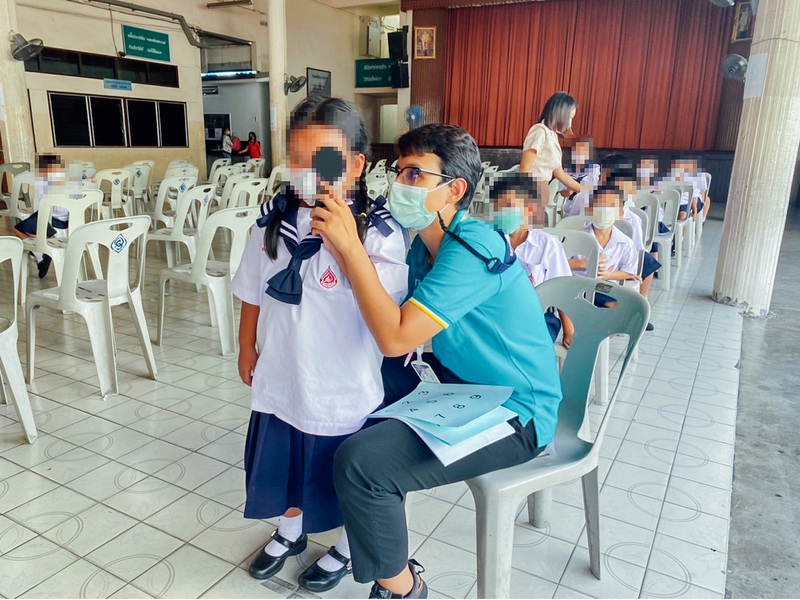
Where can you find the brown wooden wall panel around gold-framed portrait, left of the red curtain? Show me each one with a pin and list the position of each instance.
(427, 75)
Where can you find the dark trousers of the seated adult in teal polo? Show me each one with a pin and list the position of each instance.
(375, 468)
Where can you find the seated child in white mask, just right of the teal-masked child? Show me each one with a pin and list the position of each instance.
(619, 260)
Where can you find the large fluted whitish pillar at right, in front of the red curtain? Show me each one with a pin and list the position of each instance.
(769, 135)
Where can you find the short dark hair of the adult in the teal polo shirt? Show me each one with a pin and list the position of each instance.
(456, 149)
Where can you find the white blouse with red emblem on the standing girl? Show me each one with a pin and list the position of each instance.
(318, 367)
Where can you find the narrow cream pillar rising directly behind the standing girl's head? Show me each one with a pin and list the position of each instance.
(278, 100)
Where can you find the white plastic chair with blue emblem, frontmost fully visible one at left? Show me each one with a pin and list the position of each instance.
(93, 299)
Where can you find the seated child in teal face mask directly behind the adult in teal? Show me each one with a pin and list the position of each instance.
(517, 212)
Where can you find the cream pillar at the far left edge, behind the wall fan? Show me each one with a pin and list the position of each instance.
(16, 127)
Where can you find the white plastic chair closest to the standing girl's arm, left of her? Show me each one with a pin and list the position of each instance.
(215, 275)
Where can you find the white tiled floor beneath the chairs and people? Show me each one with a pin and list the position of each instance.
(140, 495)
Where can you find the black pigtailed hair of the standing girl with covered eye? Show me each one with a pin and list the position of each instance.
(345, 117)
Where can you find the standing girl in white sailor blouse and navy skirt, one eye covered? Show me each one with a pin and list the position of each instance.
(305, 350)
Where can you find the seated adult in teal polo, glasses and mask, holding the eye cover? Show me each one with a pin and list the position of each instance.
(487, 325)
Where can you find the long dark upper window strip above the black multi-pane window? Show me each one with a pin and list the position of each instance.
(98, 66)
